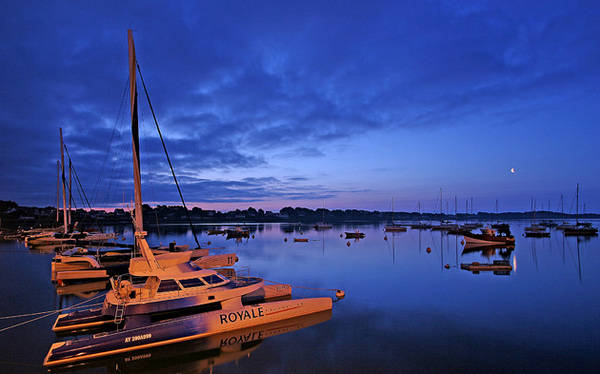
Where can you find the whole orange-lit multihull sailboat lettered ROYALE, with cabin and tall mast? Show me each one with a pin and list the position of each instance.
(173, 282)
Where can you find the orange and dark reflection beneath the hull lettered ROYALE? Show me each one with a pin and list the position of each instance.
(202, 354)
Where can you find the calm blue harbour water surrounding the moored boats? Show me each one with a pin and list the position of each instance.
(403, 311)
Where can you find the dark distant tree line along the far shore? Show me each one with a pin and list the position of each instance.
(14, 216)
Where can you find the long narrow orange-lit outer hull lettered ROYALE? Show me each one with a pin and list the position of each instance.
(180, 329)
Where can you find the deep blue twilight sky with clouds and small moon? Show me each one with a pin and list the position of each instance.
(303, 103)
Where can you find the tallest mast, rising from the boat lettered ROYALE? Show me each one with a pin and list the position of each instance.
(135, 134)
